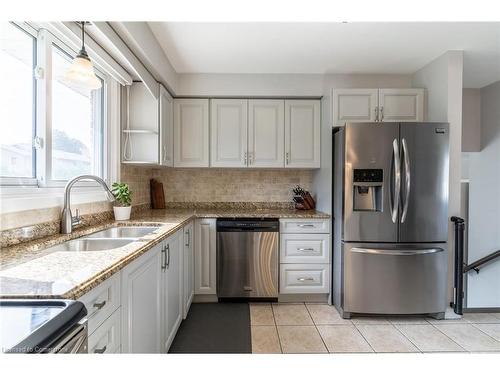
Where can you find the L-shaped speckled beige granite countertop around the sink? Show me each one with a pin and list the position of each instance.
(31, 270)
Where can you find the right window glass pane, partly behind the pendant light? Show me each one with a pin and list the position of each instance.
(76, 124)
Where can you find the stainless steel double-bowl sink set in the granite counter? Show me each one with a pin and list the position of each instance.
(106, 239)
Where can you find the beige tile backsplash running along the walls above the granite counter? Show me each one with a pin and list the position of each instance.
(184, 185)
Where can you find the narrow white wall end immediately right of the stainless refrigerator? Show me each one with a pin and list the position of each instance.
(442, 78)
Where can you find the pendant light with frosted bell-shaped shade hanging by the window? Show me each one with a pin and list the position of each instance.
(81, 72)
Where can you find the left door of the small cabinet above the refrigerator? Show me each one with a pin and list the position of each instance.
(354, 105)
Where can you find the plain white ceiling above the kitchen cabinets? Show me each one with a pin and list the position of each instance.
(345, 48)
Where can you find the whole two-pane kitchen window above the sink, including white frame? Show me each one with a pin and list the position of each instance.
(50, 131)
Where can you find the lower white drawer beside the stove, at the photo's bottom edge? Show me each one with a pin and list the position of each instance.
(106, 338)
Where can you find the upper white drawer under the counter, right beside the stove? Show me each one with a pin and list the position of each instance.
(102, 301)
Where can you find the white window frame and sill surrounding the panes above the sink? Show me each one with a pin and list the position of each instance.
(29, 193)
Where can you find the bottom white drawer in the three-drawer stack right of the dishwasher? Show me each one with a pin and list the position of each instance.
(304, 278)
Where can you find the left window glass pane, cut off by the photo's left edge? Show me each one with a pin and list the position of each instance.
(17, 111)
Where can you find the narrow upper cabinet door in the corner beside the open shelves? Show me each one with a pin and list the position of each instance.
(166, 128)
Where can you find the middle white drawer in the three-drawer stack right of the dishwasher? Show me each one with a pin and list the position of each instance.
(305, 248)
